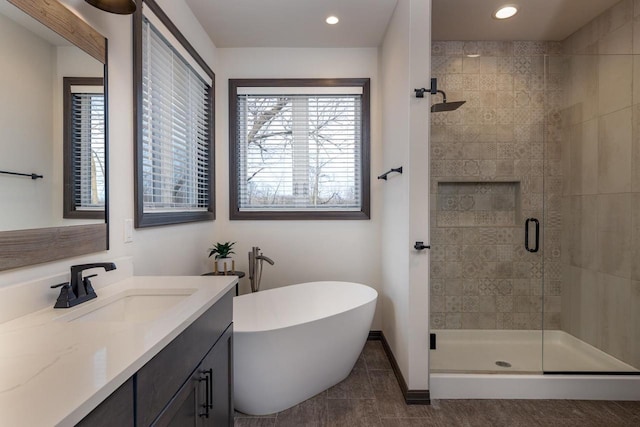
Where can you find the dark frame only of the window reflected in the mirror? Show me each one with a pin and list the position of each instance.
(69, 197)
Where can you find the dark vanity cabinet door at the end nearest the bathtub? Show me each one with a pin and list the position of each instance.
(219, 362)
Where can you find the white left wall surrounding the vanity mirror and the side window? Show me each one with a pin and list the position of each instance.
(169, 250)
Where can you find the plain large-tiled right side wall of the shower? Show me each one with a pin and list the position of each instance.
(601, 192)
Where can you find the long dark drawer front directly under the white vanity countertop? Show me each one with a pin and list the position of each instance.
(162, 376)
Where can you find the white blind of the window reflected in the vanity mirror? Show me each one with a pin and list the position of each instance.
(88, 145)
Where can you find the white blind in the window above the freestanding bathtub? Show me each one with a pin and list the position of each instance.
(299, 149)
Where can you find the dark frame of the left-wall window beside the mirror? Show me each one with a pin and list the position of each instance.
(152, 219)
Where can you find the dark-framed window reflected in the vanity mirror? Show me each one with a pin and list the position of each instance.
(84, 147)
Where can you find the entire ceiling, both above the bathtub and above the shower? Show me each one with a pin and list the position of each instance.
(300, 23)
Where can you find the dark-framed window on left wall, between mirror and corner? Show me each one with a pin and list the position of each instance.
(174, 165)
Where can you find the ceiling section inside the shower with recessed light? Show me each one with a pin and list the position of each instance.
(536, 19)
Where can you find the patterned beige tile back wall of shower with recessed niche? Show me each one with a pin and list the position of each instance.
(487, 165)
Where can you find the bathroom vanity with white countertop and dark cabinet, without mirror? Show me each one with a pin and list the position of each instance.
(147, 351)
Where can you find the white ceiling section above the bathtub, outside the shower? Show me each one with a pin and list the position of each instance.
(293, 23)
